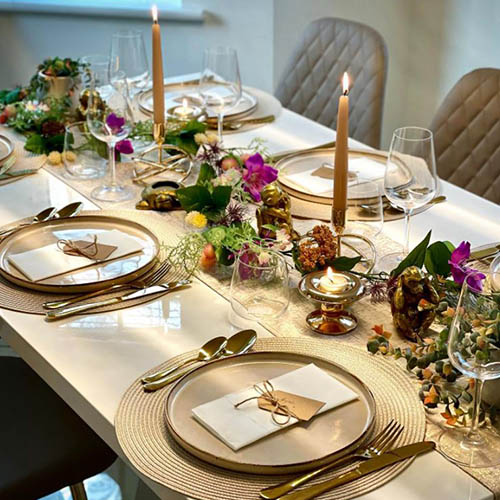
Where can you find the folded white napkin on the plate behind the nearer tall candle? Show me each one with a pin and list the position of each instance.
(364, 168)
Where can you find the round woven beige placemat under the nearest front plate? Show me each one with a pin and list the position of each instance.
(144, 438)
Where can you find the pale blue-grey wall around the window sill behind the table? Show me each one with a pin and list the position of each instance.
(26, 39)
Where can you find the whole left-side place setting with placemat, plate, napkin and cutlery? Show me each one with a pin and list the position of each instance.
(64, 262)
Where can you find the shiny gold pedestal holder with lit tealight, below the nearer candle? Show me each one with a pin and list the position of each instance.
(344, 289)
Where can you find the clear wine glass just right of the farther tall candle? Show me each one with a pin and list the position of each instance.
(220, 82)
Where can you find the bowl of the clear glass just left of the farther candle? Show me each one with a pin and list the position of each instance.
(128, 54)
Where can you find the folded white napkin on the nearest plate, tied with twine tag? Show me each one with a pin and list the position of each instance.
(239, 427)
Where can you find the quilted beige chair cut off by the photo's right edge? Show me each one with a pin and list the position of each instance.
(467, 134)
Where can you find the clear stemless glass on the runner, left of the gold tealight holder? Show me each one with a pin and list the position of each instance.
(259, 286)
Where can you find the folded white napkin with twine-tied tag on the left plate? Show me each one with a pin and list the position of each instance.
(49, 261)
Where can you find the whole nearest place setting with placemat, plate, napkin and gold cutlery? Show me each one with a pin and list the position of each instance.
(241, 421)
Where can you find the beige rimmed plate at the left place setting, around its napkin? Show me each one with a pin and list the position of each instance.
(94, 277)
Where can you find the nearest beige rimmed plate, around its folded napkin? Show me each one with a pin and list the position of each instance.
(297, 448)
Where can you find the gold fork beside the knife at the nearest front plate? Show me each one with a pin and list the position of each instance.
(378, 445)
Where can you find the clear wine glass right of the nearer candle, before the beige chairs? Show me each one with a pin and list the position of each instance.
(410, 179)
